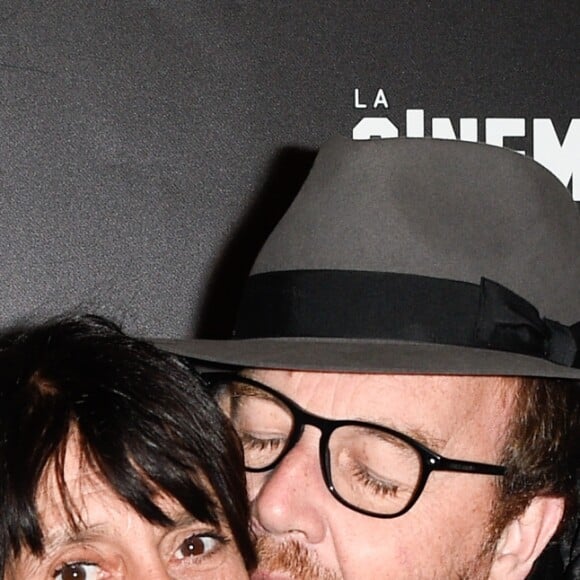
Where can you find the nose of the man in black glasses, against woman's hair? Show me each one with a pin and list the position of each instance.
(290, 499)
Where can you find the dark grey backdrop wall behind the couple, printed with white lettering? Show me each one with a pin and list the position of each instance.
(147, 147)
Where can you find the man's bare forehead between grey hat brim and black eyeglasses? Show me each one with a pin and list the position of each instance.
(399, 400)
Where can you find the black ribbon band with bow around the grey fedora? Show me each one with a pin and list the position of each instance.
(354, 304)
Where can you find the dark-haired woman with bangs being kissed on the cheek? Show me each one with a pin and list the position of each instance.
(114, 462)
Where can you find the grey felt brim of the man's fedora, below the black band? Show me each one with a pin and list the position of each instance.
(366, 356)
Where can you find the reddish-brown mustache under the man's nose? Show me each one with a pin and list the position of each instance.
(292, 558)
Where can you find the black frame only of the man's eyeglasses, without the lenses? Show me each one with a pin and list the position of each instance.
(430, 460)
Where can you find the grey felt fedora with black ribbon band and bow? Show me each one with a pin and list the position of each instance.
(414, 256)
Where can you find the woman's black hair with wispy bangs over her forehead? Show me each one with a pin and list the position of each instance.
(142, 420)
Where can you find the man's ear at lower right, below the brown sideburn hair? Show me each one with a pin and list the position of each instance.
(524, 538)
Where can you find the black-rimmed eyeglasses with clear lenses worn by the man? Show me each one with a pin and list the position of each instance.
(369, 468)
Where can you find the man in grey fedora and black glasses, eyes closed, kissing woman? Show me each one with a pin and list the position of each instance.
(407, 347)
